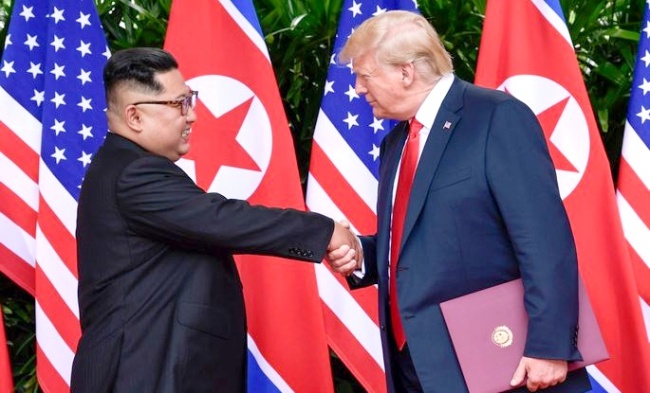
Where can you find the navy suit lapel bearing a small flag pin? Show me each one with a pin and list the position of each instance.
(443, 127)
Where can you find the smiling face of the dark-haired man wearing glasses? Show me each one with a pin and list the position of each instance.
(164, 130)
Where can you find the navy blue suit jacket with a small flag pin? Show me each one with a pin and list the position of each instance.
(484, 209)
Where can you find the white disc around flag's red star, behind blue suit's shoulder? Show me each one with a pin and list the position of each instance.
(571, 134)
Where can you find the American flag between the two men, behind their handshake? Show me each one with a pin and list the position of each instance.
(342, 184)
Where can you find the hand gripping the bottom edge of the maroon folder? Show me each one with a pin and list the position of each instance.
(541, 373)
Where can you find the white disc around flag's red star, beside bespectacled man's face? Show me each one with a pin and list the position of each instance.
(221, 94)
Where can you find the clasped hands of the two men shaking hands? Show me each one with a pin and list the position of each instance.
(344, 252)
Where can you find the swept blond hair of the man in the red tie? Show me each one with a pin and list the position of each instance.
(400, 37)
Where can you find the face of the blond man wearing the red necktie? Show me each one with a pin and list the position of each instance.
(383, 86)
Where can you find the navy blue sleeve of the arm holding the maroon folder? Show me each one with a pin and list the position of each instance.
(522, 179)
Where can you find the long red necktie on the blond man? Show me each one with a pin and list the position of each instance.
(404, 182)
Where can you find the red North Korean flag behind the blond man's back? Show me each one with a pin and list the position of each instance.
(526, 51)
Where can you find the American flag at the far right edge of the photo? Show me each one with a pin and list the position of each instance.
(633, 194)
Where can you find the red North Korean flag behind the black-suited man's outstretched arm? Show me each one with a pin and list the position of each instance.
(242, 148)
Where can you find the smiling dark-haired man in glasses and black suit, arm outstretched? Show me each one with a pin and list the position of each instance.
(161, 303)
